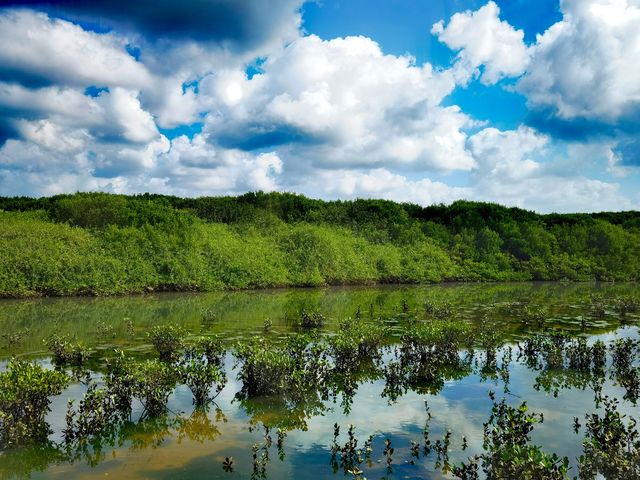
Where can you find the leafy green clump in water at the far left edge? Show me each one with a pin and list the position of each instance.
(25, 398)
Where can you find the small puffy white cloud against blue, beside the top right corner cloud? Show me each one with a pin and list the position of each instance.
(482, 39)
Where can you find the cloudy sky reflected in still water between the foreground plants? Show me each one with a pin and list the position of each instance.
(461, 407)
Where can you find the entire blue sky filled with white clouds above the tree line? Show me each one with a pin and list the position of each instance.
(534, 104)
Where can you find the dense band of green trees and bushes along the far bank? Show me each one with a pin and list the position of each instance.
(100, 244)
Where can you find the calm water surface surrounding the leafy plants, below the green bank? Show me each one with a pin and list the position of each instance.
(193, 444)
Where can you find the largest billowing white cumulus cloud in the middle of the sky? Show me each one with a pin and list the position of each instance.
(341, 102)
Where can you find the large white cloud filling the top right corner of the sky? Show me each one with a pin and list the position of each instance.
(586, 65)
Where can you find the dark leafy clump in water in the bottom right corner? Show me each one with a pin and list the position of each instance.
(611, 445)
